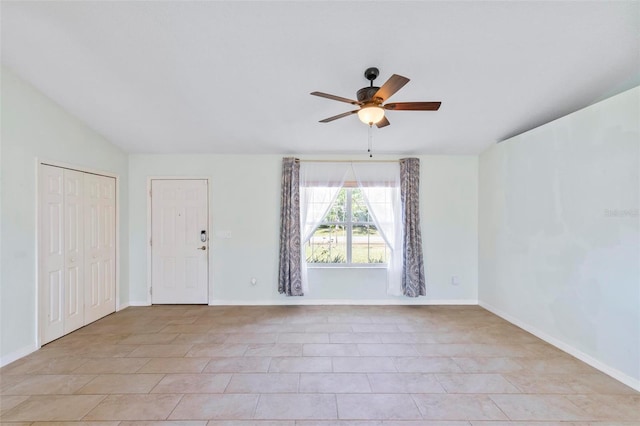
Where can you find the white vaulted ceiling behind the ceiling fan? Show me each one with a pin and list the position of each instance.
(235, 76)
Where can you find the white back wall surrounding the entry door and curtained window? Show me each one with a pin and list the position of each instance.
(245, 199)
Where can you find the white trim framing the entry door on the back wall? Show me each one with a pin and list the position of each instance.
(150, 179)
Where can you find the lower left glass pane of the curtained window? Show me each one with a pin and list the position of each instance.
(328, 244)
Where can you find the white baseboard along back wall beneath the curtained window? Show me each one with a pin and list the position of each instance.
(303, 301)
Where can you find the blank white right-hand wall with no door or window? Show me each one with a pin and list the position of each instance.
(559, 233)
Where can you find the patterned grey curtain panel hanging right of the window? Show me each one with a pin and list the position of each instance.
(413, 281)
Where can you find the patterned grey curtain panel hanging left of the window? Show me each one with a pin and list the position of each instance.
(289, 274)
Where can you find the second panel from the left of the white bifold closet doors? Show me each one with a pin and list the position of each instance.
(74, 250)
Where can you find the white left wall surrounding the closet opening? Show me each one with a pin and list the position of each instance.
(35, 127)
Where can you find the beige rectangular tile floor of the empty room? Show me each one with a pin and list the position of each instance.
(308, 366)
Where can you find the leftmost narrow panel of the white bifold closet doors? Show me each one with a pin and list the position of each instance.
(51, 253)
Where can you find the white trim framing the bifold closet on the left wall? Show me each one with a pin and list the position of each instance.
(83, 169)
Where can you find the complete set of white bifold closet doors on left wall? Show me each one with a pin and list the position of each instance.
(77, 252)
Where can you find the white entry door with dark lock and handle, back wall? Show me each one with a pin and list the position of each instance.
(179, 224)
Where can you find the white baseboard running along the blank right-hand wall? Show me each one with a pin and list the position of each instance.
(599, 365)
